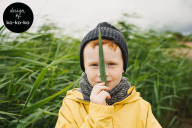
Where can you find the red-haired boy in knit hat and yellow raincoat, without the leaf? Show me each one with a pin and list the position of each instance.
(119, 106)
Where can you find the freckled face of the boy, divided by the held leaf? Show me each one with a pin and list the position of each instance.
(113, 65)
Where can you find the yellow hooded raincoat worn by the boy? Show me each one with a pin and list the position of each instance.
(132, 112)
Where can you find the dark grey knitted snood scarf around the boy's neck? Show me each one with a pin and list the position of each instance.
(117, 94)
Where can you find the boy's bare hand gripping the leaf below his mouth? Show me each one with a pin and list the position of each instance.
(98, 95)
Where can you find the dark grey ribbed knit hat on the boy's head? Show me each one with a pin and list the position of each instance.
(107, 32)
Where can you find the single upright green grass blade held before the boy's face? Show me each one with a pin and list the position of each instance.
(101, 60)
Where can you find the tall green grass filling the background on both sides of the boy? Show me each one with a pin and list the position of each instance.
(37, 69)
